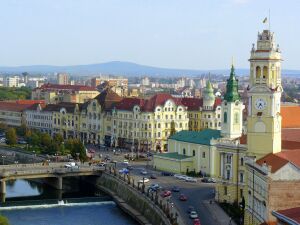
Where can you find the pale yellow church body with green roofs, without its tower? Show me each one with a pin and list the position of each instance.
(190, 151)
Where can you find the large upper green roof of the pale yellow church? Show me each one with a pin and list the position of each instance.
(198, 137)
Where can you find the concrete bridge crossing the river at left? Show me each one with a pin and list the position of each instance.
(53, 173)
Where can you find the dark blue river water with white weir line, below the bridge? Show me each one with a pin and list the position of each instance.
(31, 203)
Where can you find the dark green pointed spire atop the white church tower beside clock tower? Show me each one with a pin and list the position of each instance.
(232, 93)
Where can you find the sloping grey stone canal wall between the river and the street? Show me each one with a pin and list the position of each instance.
(133, 201)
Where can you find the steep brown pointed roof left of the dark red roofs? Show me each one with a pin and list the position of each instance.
(108, 99)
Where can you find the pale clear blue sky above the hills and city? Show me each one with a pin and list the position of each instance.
(191, 34)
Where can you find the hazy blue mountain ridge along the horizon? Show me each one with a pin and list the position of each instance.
(122, 68)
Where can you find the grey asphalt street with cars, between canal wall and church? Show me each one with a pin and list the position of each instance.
(197, 193)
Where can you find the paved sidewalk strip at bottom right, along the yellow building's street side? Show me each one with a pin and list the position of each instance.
(218, 213)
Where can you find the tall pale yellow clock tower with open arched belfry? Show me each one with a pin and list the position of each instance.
(264, 93)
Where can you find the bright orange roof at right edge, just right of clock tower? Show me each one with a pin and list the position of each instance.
(290, 118)
